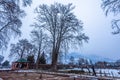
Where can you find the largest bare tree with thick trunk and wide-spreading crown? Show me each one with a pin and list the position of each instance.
(62, 26)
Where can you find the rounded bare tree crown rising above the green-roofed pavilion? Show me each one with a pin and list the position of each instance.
(22, 49)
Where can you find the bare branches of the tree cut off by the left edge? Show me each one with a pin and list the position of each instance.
(10, 19)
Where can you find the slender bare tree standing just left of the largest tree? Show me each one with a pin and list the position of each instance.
(40, 40)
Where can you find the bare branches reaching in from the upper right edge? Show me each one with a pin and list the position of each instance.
(112, 6)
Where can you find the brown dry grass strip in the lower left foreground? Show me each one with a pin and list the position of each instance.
(30, 76)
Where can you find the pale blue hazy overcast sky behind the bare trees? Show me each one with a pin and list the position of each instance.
(96, 25)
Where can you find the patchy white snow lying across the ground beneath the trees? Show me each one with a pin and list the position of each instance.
(108, 72)
